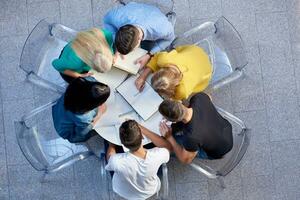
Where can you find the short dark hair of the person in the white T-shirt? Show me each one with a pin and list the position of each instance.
(130, 135)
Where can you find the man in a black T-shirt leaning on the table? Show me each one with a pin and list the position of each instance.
(198, 129)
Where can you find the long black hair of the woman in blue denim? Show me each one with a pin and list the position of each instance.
(82, 95)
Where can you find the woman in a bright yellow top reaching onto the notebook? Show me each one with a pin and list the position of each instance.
(178, 73)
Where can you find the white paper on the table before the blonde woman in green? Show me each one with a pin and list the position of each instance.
(112, 78)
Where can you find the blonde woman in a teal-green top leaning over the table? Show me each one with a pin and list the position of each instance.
(90, 49)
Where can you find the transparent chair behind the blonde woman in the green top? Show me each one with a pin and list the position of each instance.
(45, 43)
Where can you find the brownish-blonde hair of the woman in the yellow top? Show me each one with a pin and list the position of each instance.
(165, 81)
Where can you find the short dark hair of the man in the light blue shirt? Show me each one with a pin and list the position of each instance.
(127, 38)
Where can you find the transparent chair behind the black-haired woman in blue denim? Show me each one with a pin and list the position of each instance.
(41, 145)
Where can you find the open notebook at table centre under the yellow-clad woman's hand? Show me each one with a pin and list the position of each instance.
(145, 103)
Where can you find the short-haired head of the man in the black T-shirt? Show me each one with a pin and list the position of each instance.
(172, 110)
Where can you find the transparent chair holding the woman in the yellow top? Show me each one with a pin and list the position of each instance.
(225, 48)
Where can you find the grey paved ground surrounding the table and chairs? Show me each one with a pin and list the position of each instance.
(267, 99)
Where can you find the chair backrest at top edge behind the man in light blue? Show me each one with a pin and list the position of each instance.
(166, 6)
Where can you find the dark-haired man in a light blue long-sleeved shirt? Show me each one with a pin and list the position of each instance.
(136, 22)
